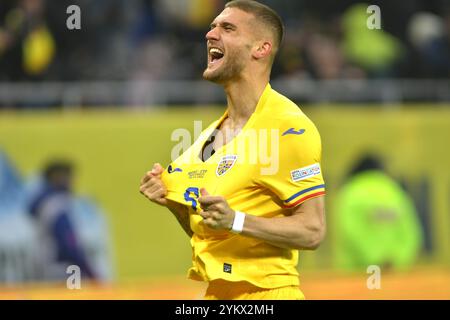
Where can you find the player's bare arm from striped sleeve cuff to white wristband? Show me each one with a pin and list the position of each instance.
(304, 228)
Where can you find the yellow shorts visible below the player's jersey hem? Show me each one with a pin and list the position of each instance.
(225, 290)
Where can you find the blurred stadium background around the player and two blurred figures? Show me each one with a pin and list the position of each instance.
(109, 96)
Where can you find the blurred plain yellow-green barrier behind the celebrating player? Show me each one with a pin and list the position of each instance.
(113, 149)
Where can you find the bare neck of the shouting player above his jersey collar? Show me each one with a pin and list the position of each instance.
(243, 96)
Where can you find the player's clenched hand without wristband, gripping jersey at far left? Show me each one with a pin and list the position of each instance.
(152, 186)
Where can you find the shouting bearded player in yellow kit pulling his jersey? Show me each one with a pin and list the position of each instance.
(247, 218)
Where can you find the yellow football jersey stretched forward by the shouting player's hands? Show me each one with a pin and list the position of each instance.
(271, 165)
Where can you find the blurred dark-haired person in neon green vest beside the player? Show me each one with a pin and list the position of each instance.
(377, 223)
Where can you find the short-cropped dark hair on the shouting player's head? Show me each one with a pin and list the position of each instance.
(263, 13)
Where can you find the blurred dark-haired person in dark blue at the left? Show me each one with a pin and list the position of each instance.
(51, 208)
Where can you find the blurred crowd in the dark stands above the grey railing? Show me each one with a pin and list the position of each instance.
(164, 39)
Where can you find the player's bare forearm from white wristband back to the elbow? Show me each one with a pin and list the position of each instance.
(285, 232)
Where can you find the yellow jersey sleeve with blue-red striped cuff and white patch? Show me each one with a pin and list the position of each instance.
(299, 174)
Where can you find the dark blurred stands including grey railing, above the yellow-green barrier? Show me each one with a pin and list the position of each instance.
(142, 52)
